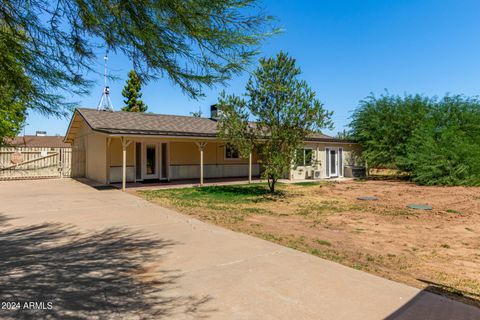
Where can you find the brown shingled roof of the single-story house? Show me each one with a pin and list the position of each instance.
(133, 123)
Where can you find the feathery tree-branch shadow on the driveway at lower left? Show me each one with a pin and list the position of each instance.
(114, 273)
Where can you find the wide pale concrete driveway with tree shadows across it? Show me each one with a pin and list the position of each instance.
(107, 254)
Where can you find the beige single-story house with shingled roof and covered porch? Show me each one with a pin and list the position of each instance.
(114, 146)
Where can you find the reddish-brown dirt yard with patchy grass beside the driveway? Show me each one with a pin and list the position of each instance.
(438, 249)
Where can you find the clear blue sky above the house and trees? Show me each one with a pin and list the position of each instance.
(346, 49)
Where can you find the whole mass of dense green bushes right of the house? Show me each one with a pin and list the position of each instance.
(434, 141)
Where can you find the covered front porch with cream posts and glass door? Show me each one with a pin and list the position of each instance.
(140, 161)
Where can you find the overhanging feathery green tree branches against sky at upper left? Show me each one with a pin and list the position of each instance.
(195, 43)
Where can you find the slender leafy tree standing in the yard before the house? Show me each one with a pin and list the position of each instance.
(285, 111)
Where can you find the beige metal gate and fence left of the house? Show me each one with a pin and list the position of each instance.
(34, 162)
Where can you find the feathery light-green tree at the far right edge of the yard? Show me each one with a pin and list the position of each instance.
(445, 148)
